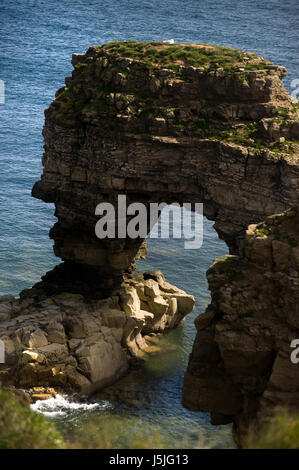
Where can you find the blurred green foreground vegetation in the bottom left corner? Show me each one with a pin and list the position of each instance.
(22, 428)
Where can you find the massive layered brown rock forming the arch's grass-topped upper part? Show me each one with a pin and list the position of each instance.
(161, 132)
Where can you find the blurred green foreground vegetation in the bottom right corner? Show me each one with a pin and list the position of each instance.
(280, 431)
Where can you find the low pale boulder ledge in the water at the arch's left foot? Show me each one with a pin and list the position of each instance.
(80, 344)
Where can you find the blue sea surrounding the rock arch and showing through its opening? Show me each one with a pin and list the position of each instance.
(38, 38)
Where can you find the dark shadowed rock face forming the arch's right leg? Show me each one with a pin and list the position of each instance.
(240, 366)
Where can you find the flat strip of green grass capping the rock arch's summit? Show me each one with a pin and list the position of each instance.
(197, 55)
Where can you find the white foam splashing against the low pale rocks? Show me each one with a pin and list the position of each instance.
(60, 406)
